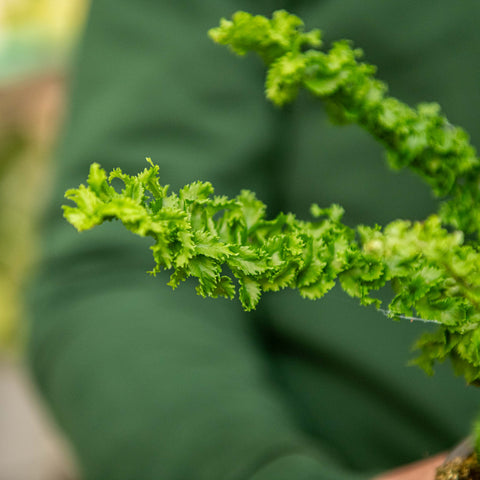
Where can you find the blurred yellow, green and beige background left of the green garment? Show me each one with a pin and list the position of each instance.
(37, 44)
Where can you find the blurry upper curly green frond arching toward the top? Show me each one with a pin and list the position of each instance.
(420, 138)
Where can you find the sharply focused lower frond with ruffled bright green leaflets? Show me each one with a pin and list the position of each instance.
(229, 245)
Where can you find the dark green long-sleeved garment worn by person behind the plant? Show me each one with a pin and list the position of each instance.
(151, 384)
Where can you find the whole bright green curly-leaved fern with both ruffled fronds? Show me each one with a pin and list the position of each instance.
(433, 266)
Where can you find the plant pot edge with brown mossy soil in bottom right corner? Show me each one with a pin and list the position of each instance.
(461, 464)
